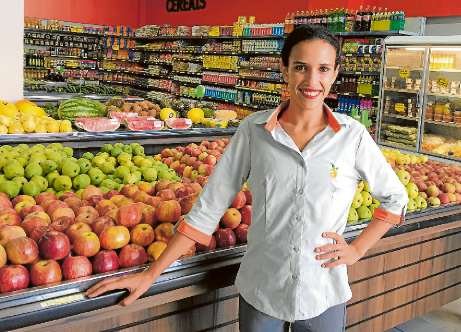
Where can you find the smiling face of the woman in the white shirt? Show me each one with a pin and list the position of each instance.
(310, 73)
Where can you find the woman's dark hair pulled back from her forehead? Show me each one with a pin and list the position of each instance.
(309, 32)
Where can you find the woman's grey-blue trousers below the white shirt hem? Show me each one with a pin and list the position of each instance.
(252, 320)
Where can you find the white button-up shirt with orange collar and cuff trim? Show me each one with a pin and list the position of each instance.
(297, 195)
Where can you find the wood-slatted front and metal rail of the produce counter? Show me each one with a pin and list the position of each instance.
(414, 269)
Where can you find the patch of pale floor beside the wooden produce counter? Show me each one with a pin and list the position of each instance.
(446, 319)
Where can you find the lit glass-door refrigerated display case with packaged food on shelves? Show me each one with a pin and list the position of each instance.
(421, 95)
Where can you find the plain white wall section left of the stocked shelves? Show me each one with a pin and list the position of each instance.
(11, 54)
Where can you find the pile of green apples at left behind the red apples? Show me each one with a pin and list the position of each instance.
(39, 168)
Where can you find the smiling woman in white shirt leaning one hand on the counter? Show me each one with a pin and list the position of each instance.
(302, 163)
